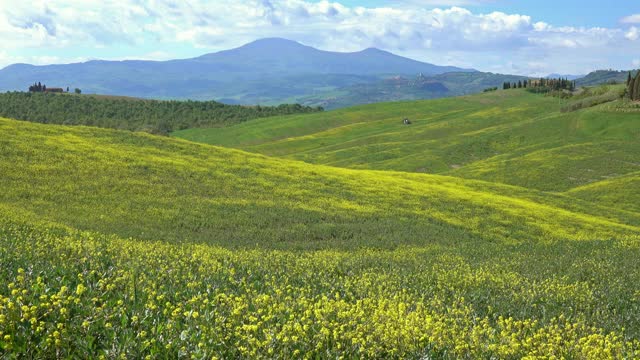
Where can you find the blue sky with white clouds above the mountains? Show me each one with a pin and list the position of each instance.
(529, 37)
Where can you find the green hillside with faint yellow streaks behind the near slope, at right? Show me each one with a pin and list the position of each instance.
(512, 137)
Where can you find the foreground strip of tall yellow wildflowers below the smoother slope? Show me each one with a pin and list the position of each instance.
(67, 293)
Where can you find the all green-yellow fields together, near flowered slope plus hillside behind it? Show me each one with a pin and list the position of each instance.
(496, 226)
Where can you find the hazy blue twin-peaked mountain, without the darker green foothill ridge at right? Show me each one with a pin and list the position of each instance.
(266, 71)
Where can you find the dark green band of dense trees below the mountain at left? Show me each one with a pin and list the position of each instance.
(159, 117)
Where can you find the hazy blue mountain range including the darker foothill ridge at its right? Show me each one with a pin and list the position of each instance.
(267, 72)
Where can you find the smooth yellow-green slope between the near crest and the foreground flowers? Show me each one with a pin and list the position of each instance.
(148, 187)
